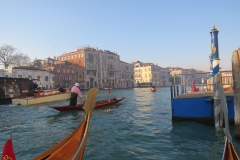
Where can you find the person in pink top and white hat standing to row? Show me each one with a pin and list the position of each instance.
(75, 93)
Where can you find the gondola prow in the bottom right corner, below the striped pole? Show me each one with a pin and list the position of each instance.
(229, 152)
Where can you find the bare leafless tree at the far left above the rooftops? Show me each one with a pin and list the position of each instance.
(9, 57)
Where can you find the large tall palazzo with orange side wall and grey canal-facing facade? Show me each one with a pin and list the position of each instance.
(102, 68)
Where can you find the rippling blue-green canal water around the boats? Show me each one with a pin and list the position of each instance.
(139, 127)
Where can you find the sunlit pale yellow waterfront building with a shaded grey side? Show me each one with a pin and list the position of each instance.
(148, 74)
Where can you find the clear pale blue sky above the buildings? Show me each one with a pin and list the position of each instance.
(164, 32)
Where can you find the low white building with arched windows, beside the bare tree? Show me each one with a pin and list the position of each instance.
(43, 78)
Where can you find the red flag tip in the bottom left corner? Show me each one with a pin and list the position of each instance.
(8, 152)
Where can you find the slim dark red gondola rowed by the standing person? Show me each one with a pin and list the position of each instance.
(98, 104)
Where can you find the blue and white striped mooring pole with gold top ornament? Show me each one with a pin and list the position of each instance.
(218, 116)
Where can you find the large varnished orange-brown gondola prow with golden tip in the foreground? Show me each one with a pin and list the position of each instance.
(72, 147)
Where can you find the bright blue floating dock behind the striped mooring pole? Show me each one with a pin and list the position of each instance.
(199, 106)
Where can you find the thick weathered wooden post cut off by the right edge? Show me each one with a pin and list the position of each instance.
(236, 85)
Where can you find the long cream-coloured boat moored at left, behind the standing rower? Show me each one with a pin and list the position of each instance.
(42, 97)
